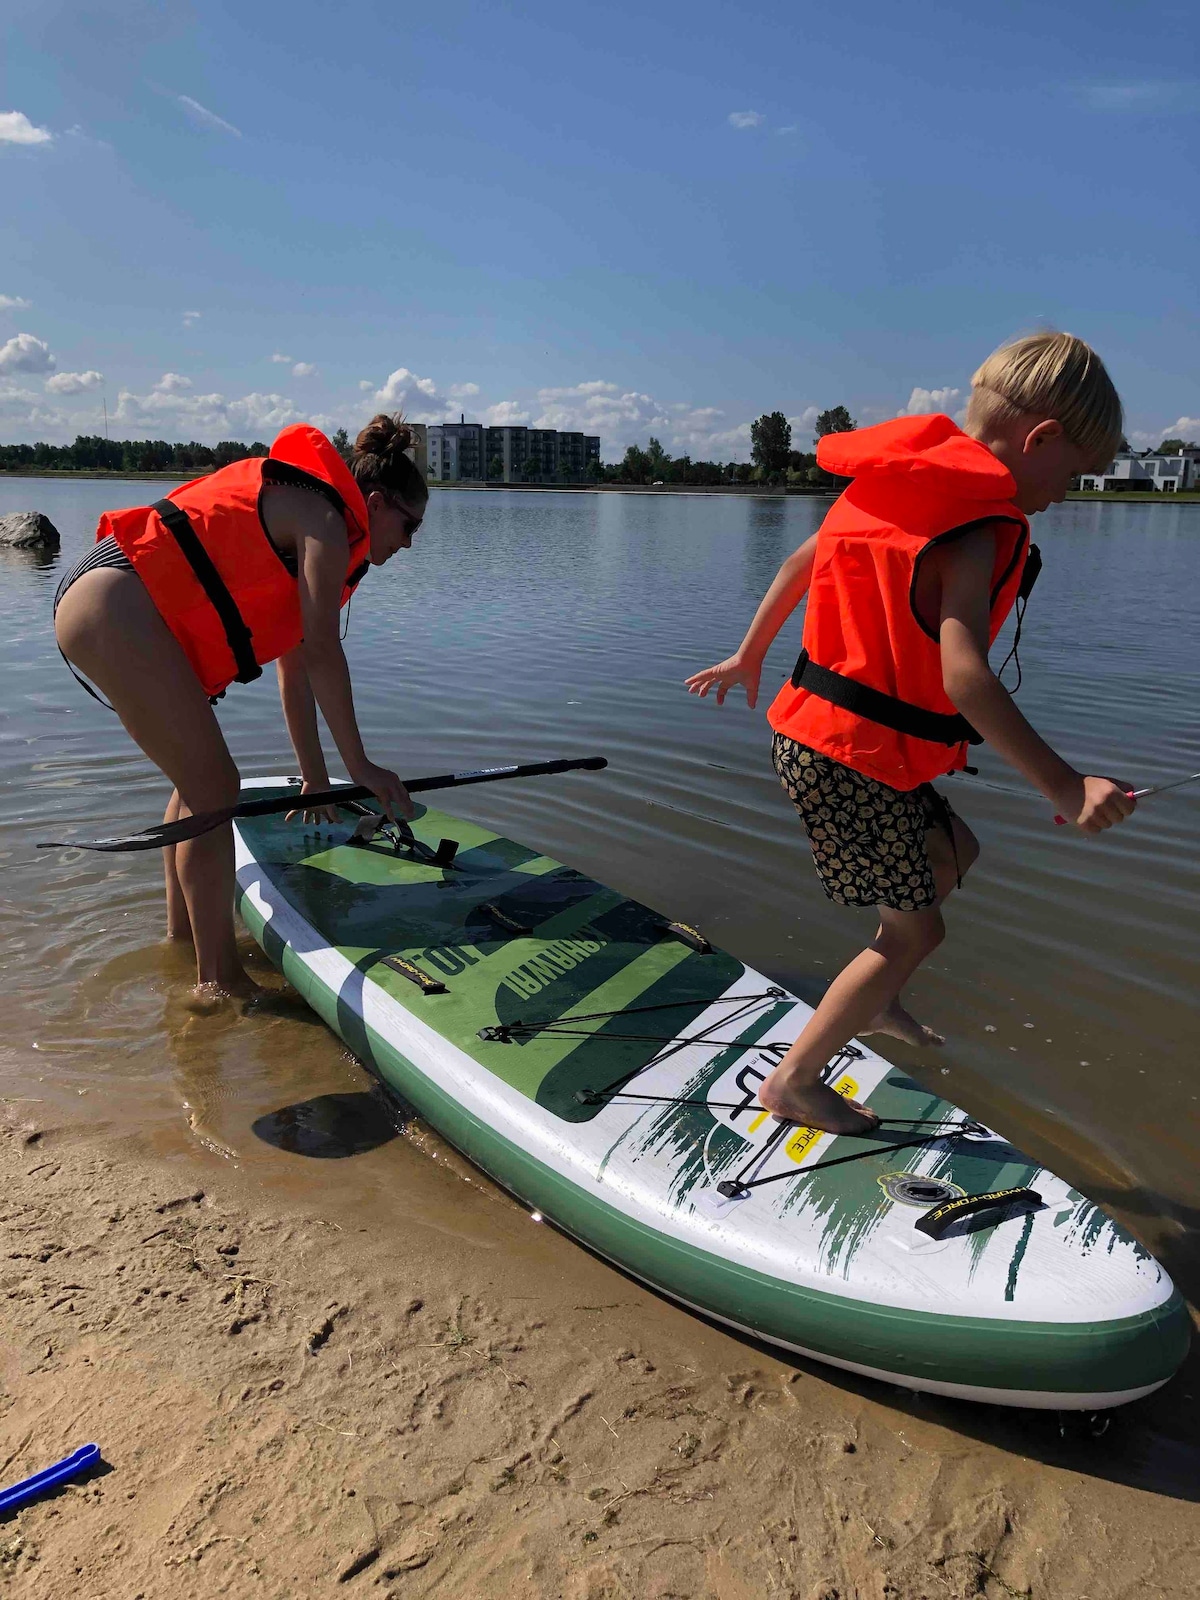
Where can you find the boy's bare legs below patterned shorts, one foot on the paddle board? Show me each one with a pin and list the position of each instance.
(863, 993)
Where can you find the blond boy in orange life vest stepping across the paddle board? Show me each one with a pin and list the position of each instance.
(910, 580)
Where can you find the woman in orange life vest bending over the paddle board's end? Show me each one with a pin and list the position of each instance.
(247, 566)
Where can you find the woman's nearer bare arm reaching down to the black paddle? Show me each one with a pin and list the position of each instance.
(318, 535)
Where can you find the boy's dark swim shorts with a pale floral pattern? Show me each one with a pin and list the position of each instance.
(868, 839)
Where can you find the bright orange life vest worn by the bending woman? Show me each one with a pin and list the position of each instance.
(212, 570)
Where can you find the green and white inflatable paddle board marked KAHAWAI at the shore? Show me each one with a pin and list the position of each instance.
(604, 1070)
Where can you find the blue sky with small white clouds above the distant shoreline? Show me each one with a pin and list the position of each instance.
(631, 220)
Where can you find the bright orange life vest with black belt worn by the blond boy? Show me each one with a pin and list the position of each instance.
(868, 687)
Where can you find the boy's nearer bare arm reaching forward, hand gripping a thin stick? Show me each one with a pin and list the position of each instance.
(966, 572)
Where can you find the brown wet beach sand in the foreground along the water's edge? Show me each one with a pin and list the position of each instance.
(294, 1406)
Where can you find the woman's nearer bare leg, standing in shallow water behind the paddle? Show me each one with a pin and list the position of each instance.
(110, 628)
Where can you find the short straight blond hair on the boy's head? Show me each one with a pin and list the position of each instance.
(1050, 375)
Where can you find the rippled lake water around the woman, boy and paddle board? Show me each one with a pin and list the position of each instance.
(542, 625)
